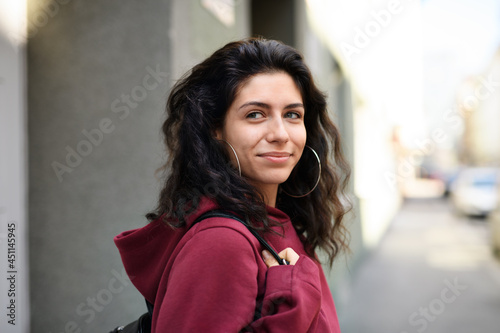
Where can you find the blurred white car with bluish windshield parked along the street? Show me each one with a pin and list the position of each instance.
(474, 192)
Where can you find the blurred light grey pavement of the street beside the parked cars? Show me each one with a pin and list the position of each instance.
(432, 272)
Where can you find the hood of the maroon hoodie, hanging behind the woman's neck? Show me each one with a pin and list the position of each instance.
(146, 251)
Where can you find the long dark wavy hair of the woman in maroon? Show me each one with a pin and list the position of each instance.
(198, 164)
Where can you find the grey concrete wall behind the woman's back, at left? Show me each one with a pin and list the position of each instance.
(99, 73)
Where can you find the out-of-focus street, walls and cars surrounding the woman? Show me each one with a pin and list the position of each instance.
(414, 87)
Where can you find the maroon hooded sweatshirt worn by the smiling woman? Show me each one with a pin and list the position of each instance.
(211, 278)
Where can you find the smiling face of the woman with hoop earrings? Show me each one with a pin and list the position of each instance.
(265, 125)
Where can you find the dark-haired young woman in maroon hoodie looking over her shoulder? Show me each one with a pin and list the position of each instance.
(247, 132)
